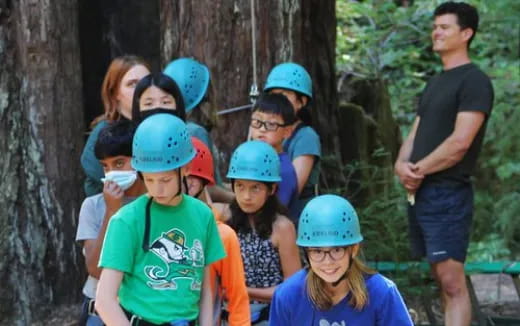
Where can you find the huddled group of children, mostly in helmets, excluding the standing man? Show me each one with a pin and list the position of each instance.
(166, 243)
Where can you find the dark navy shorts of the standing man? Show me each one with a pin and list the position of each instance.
(440, 221)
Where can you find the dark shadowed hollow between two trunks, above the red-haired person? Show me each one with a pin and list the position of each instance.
(111, 28)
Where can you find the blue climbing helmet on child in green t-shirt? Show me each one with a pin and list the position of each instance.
(161, 143)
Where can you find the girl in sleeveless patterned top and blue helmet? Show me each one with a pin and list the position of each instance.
(267, 237)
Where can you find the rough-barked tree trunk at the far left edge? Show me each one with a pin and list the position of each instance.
(40, 108)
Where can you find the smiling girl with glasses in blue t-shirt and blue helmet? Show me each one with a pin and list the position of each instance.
(336, 288)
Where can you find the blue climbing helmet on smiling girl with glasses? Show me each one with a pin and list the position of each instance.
(328, 221)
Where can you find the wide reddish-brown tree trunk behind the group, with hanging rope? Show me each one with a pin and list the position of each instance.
(218, 33)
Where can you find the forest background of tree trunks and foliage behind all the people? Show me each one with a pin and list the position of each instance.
(369, 61)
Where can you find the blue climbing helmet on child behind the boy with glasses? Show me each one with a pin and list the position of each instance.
(290, 76)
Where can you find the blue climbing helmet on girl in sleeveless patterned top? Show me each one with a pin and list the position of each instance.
(255, 160)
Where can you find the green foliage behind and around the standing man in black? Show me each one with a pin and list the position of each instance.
(377, 39)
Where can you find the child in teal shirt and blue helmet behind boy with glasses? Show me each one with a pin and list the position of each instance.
(303, 146)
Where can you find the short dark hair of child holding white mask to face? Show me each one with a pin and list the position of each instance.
(115, 139)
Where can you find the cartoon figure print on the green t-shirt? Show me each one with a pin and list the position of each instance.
(179, 261)
